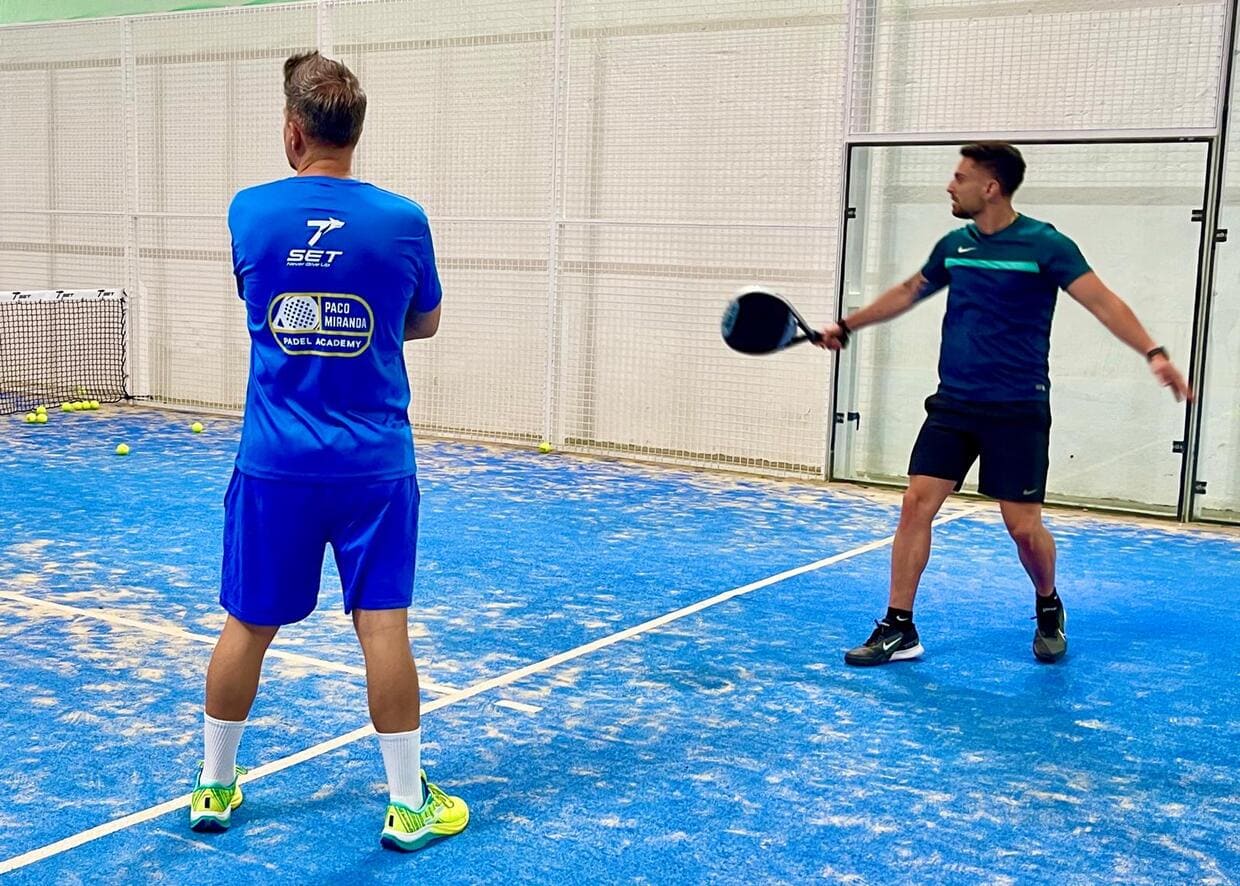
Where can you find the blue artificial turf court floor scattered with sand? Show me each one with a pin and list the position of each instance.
(632, 675)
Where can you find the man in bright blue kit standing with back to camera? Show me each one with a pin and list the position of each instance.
(337, 276)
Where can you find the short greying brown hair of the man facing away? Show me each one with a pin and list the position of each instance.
(325, 99)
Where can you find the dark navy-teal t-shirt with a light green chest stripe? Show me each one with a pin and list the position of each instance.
(996, 334)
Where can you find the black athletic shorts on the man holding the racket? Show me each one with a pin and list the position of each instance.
(1011, 439)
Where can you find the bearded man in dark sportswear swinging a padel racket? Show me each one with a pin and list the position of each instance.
(1005, 272)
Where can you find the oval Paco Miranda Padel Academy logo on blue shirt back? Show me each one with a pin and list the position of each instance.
(321, 324)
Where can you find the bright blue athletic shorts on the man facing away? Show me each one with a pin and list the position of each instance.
(277, 532)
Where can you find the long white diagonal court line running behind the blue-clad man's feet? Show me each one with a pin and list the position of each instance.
(451, 700)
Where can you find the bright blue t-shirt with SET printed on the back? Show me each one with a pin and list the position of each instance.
(329, 268)
